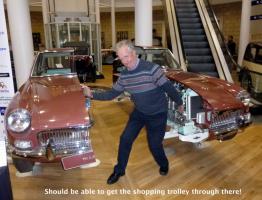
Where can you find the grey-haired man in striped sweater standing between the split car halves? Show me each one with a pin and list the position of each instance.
(147, 85)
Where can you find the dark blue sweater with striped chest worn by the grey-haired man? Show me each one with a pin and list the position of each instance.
(147, 85)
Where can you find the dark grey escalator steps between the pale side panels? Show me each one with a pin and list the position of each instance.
(196, 46)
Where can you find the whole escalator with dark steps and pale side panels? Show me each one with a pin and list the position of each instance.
(196, 39)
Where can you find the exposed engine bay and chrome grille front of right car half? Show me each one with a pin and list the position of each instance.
(197, 121)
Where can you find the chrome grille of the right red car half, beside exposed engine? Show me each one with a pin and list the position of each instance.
(225, 122)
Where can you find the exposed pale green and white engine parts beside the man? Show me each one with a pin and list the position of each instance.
(183, 125)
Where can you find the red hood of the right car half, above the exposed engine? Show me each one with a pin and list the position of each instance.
(220, 94)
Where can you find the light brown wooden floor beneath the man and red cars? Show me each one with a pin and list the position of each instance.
(227, 170)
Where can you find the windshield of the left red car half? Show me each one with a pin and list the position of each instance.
(54, 63)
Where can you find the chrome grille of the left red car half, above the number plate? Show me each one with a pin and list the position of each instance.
(66, 141)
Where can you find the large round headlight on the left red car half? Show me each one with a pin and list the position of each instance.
(18, 120)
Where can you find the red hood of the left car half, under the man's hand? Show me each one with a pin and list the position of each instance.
(53, 102)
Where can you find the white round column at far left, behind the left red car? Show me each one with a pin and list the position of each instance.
(21, 38)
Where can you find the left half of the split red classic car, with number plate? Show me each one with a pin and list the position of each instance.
(48, 118)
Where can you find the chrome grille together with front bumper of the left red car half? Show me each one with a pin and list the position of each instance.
(58, 143)
